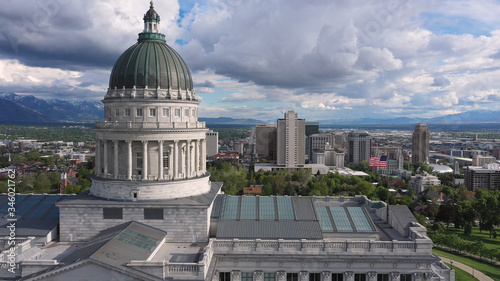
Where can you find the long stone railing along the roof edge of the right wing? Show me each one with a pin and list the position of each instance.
(226, 246)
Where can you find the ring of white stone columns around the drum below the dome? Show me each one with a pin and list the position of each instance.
(179, 154)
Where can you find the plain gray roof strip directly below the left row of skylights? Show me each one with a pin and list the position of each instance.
(269, 229)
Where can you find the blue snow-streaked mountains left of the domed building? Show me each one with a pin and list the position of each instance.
(54, 110)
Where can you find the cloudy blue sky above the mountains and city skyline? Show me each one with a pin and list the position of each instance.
(257, 59)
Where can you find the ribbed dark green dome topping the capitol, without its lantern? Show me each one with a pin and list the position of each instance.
(151, 63)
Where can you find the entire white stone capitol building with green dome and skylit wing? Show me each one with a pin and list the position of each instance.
(152, 212)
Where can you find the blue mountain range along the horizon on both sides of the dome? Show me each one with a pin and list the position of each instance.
(29, 109)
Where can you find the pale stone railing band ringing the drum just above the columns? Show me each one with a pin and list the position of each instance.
(149, 125)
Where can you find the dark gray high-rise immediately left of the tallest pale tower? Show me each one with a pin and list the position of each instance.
(265, 141)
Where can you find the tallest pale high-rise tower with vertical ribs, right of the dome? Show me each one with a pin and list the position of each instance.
(291, 140)
